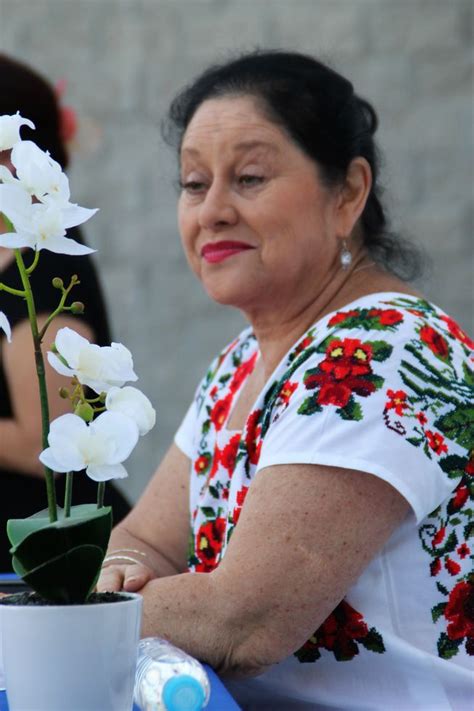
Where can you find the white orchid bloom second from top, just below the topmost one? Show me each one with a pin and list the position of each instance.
(39, 174)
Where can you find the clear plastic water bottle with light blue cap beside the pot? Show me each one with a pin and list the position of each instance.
(168, 679)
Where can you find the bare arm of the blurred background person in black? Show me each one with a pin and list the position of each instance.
(20, 435)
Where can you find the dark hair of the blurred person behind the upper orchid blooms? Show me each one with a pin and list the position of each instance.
(25, 90)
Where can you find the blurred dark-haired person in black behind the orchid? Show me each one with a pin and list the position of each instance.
(22, 485)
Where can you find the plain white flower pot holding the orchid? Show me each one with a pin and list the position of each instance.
(71, 657)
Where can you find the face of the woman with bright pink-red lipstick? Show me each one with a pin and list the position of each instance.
(257, 224)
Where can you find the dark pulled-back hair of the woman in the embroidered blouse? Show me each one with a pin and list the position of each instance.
(319, 110)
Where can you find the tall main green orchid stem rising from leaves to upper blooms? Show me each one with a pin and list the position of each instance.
(39, 362)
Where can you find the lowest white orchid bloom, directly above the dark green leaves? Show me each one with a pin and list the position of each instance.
(99, 448)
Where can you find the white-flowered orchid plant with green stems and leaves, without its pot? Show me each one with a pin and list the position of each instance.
(59, 551)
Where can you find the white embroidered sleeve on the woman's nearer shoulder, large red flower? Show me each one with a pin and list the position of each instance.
(377, 406)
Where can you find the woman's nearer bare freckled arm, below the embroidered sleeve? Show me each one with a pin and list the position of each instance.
(304, 536)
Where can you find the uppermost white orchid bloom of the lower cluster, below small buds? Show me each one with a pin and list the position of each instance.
(100, 368)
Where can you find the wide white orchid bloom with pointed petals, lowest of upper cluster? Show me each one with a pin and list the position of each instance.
(40, 226)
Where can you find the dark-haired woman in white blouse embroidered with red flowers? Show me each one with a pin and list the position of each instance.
(313, 509)
